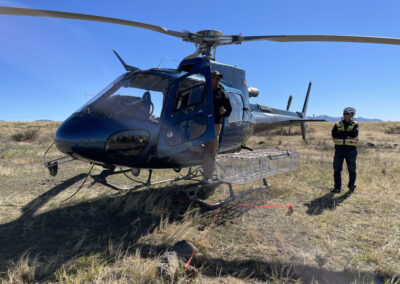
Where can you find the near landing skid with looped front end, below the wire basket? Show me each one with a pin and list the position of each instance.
(193, 190)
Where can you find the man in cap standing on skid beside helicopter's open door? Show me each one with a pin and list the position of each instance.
(222, 108)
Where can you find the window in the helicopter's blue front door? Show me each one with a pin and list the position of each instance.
(190, 94)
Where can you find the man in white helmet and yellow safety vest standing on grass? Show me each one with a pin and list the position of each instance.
(345, 136)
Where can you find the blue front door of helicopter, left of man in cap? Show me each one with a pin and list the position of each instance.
(187, 119)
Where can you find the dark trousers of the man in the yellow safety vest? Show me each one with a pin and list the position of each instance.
(350, 155)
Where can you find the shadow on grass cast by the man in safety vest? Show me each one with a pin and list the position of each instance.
(325, 202)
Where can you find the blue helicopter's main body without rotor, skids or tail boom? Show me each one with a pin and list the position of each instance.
(119, 127)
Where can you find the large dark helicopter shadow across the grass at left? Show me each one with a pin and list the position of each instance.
(86, 228)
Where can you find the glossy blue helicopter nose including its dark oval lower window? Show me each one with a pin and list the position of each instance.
(102, 139)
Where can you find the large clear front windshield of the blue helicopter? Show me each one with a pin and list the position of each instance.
(138, 96)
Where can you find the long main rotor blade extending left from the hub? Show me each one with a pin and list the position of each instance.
(76, 16)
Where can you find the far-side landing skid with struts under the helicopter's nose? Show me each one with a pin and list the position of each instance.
(102, 178)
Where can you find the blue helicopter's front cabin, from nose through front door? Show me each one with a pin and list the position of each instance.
(141, 111)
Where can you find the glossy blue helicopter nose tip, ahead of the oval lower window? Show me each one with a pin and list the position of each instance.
(84, 136)
